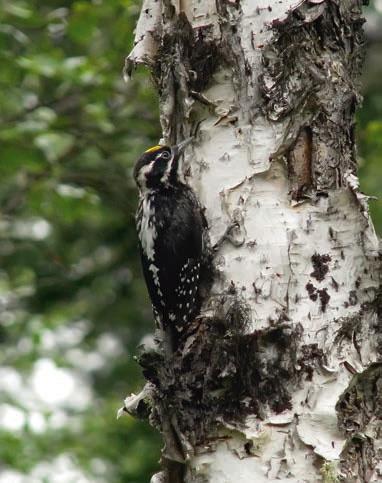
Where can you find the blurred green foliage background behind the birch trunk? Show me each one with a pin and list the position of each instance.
(72, 301)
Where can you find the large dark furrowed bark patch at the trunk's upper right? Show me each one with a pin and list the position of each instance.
(315, 44)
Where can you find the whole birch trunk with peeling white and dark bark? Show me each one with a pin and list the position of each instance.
(280, 378)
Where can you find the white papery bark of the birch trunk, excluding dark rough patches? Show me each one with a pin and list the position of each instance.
(308, 265)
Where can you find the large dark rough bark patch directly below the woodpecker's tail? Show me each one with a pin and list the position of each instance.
(224, 373)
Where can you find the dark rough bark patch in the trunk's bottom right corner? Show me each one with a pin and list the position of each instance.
(359, 415)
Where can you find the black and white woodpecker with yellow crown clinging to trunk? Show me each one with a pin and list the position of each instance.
(170, 226)
